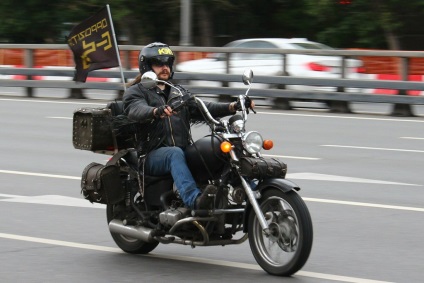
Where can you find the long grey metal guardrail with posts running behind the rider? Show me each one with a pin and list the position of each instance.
(338, 101)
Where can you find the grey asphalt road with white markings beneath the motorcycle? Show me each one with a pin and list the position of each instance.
(360, 174)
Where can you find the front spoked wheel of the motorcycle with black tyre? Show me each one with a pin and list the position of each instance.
(287, 246)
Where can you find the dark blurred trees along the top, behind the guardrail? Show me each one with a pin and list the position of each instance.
(377, 24)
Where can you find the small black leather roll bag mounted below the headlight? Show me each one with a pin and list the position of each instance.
(262, 168)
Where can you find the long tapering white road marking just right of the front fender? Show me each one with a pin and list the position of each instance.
(335, 178)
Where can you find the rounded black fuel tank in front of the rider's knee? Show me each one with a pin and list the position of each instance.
(204, 152)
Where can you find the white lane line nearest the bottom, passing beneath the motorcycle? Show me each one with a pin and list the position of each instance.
(183, 258)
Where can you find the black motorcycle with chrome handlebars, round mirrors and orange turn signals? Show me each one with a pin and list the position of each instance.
(252, 199)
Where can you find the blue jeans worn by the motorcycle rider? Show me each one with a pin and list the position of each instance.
(165, 160)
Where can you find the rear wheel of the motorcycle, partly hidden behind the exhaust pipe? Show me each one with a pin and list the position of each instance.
(128, 244)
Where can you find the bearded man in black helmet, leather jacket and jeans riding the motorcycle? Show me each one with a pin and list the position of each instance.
(164, 132)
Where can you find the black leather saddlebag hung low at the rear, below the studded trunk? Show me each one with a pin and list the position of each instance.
(102, 183)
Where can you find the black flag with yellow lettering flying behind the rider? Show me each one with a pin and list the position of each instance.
(93, 45)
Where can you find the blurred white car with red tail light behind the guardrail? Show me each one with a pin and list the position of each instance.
(299, 65)
